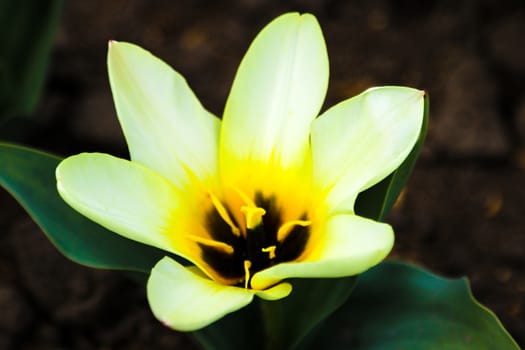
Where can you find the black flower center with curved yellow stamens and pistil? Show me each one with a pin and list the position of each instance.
(242, 245)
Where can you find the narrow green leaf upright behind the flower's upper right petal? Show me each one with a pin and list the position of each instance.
(376, 202)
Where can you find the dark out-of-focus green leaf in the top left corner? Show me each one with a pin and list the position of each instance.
(27, 30)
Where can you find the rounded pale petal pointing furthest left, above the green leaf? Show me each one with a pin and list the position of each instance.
(123, 196)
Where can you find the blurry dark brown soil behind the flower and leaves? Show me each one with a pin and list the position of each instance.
(462, 213)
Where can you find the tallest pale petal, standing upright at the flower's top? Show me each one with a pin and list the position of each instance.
(278, 90)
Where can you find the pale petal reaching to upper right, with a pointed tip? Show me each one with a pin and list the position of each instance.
(358, 142)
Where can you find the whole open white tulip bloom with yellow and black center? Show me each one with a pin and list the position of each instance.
(263, 195)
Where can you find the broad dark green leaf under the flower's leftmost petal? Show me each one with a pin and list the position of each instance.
(29, 176)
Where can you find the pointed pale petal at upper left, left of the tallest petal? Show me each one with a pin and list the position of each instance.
(166, 127)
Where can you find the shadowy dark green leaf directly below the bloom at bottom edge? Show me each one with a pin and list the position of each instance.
(282, 324)
